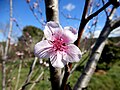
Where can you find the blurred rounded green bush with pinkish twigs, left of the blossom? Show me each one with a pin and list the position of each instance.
(31, 35)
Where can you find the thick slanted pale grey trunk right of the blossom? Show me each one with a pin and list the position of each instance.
(95, 55)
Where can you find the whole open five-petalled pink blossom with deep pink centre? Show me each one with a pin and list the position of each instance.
(58, 45)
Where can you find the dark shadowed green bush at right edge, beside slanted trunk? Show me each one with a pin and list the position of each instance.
(109, 56)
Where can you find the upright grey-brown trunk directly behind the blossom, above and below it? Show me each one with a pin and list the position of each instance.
(52, 15)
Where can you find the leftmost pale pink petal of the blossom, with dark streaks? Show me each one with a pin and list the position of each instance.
(43, 49)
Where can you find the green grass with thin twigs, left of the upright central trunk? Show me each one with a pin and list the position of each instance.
(12, 72)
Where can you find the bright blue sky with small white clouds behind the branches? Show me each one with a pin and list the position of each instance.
(25, 17)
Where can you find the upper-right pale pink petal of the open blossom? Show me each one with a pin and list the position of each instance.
(69, 35)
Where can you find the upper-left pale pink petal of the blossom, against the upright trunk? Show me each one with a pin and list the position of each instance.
(50, 29)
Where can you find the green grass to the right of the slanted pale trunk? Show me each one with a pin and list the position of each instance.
(108, 81)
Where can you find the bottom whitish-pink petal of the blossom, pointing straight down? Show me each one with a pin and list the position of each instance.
(57, 60)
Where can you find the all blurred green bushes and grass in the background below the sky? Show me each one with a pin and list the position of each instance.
(106, 76)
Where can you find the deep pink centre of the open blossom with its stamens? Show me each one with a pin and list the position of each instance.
(59, 45)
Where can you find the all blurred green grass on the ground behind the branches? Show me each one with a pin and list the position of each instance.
(108, 81)
